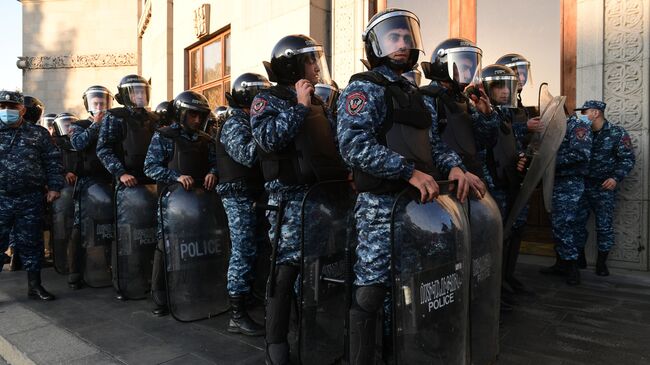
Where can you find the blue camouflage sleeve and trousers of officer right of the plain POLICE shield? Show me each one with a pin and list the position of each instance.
(238, 199)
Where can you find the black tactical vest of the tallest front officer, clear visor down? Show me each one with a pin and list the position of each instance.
(405, 131)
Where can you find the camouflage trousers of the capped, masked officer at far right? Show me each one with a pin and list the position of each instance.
(602, 203)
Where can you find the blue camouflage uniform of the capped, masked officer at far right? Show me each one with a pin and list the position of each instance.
(612, 156)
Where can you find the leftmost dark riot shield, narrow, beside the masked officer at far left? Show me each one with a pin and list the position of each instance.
(62, 221)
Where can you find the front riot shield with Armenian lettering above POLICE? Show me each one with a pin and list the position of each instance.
(430, 293)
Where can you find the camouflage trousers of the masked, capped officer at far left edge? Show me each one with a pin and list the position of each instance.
(21, 226)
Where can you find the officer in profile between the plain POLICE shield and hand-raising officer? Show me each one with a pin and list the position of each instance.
(240, 186)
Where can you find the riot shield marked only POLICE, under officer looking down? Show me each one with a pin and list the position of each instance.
(197, 249)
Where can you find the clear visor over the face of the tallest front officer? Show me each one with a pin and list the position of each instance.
(395, 33)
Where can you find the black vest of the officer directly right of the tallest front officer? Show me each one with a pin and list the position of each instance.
(455, 126)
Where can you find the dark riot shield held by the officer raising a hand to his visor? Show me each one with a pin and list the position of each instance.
(326, 223)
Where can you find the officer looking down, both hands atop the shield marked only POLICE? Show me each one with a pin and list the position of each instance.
(174, 155)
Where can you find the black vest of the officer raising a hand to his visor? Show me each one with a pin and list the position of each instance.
(312, 157)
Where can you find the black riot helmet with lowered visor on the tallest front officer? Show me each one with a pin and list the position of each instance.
(393, 31)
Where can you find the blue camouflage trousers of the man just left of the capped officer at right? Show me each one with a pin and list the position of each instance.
(568, 216)
